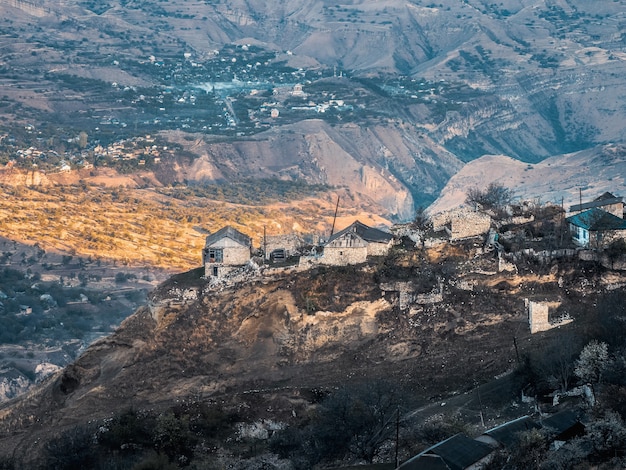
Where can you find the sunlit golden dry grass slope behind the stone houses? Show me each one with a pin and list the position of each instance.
(140, 226)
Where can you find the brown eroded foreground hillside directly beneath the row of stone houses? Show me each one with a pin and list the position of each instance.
(282, 335)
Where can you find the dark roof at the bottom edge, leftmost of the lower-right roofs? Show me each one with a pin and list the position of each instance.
(458, 452)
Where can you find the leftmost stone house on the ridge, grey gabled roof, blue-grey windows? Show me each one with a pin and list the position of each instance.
(224, 251)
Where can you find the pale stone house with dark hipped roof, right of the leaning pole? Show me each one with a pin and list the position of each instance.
(355, 243)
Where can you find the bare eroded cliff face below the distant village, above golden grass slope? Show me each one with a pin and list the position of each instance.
(392, 166)
